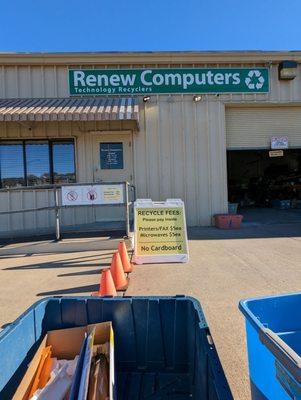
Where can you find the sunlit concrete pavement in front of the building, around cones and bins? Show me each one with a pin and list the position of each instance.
(224, 267)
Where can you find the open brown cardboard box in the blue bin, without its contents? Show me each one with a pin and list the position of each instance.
(67, 344)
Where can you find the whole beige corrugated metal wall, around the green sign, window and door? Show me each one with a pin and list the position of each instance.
(180, 150)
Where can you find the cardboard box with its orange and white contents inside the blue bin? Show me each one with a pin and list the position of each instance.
(72, 364)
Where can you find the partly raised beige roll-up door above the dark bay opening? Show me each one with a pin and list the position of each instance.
(253, 127)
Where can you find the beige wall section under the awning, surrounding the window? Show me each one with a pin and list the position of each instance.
(28, 198)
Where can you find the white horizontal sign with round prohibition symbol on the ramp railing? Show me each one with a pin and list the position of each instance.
(92, 194)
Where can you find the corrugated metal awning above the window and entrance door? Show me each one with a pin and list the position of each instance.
(69, 109)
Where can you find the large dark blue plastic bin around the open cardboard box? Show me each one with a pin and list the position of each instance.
(163, 346)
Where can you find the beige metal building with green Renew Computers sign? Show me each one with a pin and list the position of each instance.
(165, 122)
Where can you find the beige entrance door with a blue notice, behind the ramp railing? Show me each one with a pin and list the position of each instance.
(113, 162)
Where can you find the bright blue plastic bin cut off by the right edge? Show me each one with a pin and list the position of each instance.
(273, 326)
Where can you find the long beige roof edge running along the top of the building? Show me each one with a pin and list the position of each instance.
(141, 58)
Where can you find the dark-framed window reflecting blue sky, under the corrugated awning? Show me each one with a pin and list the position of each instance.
(36, 162)
